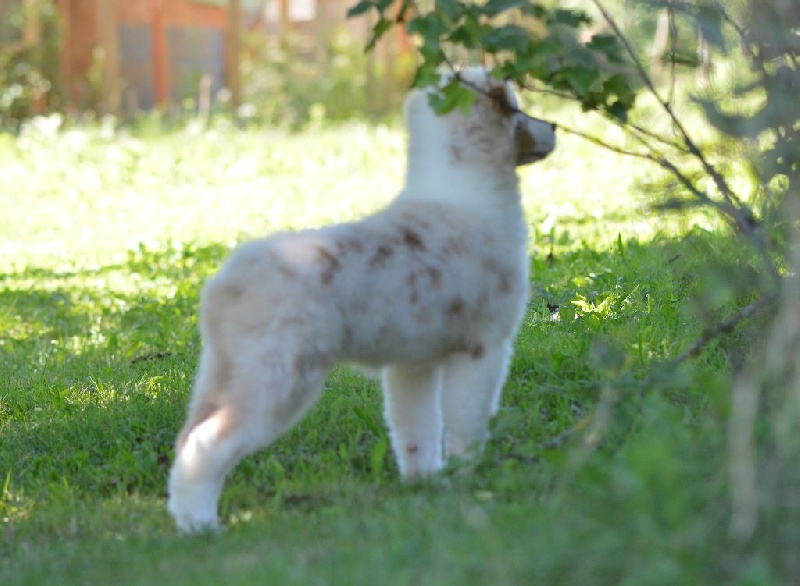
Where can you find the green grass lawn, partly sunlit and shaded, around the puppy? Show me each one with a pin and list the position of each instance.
(105, 243)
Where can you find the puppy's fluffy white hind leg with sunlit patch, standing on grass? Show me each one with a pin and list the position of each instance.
(236, 410)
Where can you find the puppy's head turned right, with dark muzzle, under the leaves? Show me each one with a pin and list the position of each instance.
(494, 133)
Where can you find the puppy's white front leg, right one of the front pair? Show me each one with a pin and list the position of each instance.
(471, 389)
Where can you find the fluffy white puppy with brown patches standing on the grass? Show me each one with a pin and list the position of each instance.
(430, 290)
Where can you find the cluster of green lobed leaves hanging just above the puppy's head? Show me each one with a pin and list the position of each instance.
(522, 40)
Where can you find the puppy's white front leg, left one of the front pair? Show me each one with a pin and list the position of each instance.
(414, 415)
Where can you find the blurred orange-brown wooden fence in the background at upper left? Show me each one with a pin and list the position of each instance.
(129, 55)
